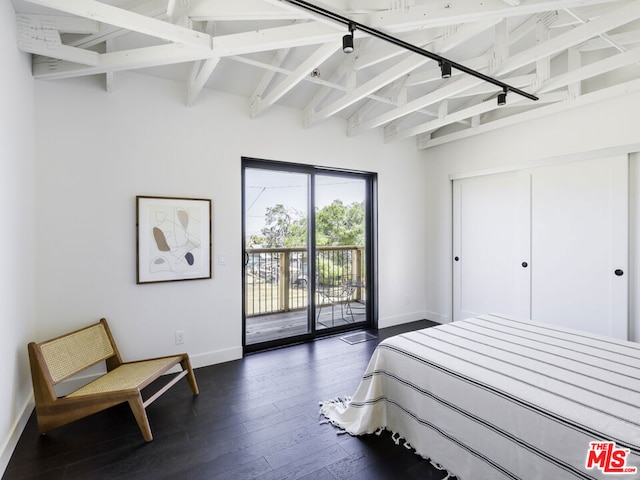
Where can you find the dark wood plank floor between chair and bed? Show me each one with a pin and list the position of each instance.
(255, 418)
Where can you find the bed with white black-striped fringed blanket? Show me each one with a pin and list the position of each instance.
(497, 398)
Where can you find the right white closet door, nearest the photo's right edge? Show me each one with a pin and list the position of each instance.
(579, 239)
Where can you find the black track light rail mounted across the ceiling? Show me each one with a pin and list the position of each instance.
(352, 25)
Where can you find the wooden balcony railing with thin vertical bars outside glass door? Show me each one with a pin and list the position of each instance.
(277, 279)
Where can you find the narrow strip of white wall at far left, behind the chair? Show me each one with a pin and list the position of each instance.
(17, 234)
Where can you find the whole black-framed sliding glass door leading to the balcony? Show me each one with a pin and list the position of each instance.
(307, 252)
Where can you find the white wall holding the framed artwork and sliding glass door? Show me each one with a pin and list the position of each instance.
(96, 151)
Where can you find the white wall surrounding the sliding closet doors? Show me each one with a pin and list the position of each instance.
(591, 128)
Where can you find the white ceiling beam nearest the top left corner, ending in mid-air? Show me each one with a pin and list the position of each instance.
(135, 22)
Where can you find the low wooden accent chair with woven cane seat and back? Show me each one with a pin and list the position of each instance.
(55, 360)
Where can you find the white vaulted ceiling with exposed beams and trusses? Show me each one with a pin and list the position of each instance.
(566, 52)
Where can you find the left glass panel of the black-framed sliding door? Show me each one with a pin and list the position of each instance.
(276, 274)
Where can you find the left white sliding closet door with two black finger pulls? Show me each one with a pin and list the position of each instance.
(491, 232)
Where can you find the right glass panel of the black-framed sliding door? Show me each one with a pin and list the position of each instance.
(340, 294)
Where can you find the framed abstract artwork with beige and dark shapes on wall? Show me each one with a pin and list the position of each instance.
(173, 239)
